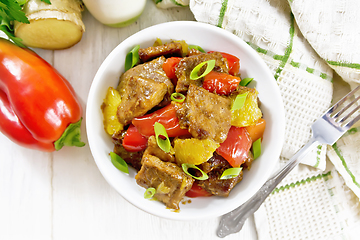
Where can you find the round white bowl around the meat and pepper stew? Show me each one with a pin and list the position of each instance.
(251, 65)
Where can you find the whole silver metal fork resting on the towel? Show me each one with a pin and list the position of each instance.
(326, 130)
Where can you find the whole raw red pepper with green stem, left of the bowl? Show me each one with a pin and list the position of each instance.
(38, 107)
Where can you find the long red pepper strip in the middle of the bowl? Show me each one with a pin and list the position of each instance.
(166, 116)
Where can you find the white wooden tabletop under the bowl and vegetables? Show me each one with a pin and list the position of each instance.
(62, 195)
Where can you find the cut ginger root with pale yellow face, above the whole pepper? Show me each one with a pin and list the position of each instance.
(52, 26)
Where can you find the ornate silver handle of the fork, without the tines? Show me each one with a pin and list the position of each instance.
(233, 221)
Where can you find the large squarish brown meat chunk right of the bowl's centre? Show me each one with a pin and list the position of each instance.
(205, 114)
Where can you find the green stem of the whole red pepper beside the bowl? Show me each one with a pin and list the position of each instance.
(70, 137)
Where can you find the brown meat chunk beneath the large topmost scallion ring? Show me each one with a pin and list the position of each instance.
(187, 64)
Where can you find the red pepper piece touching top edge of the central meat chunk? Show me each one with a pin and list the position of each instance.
(220, 83)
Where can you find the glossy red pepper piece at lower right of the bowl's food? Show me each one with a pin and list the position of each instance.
(236, 147)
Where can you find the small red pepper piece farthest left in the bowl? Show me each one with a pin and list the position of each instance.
(133, 141)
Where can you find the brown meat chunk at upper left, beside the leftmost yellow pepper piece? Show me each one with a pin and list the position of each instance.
(139, 96)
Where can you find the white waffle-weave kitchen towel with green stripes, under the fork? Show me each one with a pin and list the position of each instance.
(303, 43)
